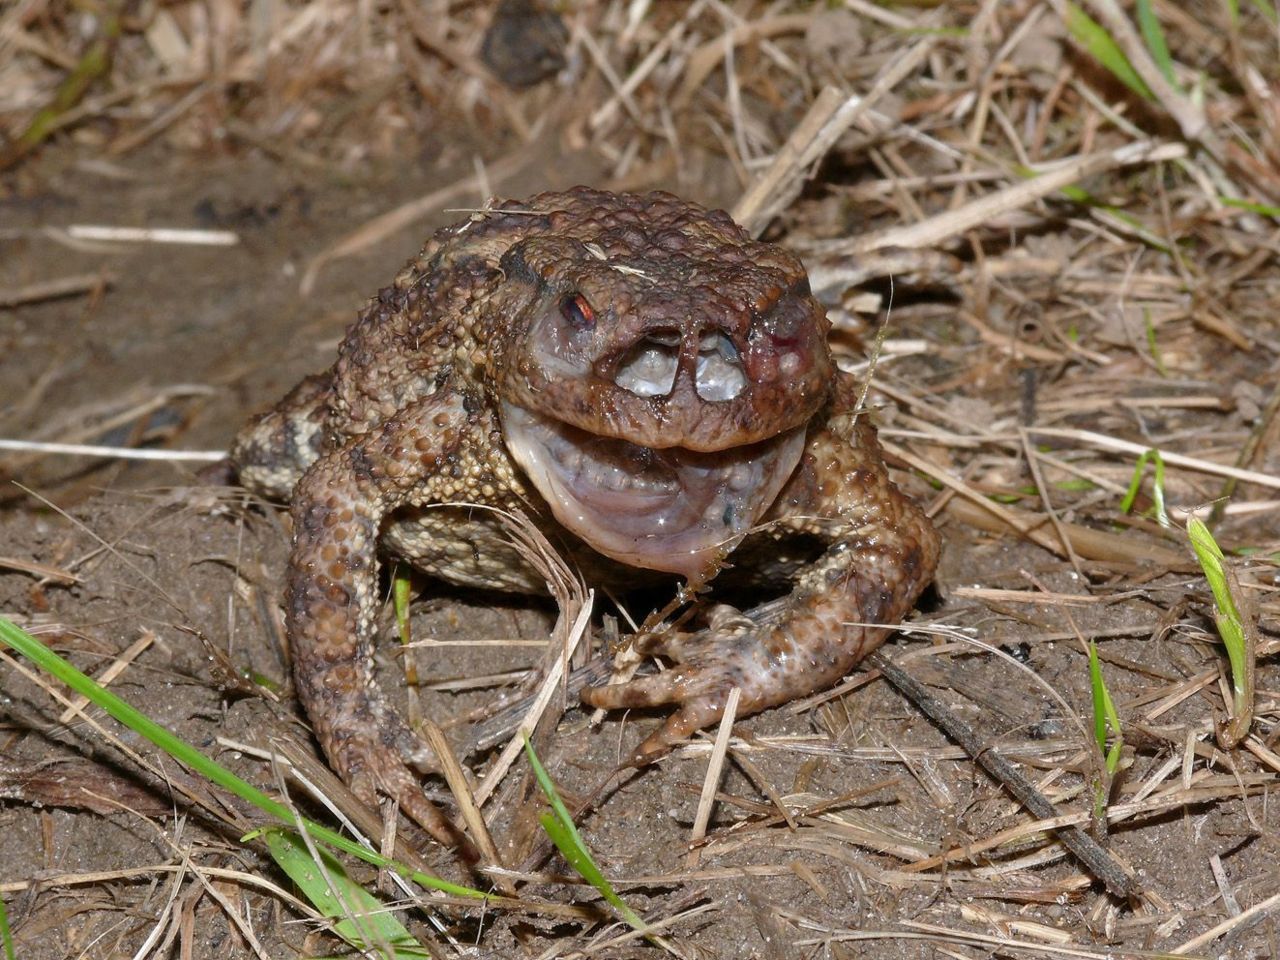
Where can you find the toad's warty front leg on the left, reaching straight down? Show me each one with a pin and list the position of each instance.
(332, 596)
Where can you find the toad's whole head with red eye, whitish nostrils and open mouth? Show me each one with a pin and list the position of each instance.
(657, 373)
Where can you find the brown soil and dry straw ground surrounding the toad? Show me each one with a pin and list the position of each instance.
(1040, 333)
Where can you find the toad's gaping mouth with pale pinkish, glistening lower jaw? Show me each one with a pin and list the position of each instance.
(673, 510)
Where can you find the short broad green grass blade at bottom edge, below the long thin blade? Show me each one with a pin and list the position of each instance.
(359, 917)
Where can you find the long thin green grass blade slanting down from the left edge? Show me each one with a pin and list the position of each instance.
(185, 753)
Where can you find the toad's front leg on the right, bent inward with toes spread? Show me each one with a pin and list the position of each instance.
(881, 554)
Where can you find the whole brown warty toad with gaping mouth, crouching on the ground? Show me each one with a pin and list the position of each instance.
(647, 383)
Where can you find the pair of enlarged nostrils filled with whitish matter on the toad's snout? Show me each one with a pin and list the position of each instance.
(653, 364)
